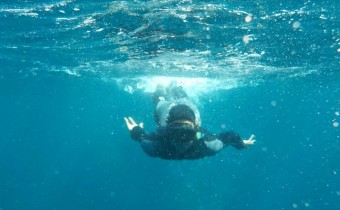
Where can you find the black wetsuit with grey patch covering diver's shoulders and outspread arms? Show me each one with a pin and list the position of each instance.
(158, 144)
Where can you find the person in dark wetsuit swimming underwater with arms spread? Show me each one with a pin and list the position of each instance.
(179, 134)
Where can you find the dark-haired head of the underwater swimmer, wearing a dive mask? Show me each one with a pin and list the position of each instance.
(181, 125)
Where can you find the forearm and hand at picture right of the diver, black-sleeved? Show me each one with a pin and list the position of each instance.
(232, 138)
